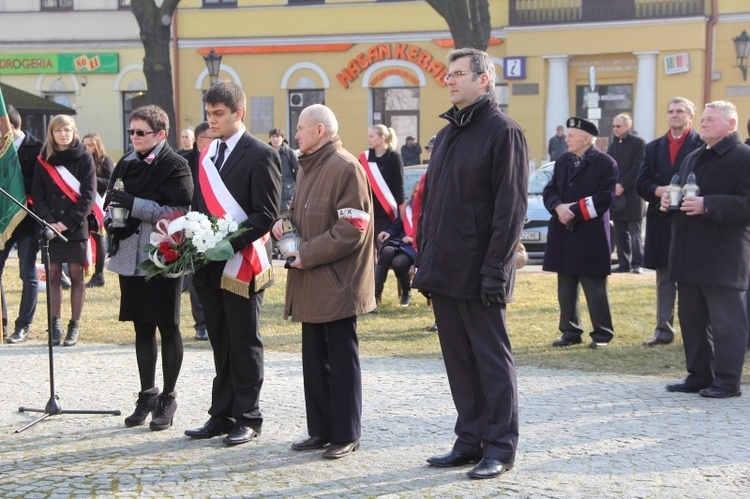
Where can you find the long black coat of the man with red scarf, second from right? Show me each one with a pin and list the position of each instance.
(656, 172)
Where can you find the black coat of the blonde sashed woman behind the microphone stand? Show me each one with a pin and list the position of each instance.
(53, 206)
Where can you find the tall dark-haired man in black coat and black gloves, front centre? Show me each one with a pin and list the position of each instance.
(474, 205)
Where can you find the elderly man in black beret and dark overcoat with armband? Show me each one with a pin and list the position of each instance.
(578, 196)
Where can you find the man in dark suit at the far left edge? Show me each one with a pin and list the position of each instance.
(25, 236)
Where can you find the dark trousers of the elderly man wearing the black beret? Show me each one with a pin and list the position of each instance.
(595, 289)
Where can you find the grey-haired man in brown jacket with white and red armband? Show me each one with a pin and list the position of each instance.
(330, 281)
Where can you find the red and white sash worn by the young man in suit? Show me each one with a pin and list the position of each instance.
(251, 262)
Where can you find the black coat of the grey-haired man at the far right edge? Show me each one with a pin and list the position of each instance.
(714, 248)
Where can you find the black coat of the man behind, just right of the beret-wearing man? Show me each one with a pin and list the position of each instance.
(628, 153)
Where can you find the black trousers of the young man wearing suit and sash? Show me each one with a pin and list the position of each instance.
(233, 324)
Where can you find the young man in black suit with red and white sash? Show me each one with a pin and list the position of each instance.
(243, 172)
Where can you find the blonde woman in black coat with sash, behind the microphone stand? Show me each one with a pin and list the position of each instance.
(63, 193)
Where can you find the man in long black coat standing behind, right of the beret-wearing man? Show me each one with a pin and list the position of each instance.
(628, 209)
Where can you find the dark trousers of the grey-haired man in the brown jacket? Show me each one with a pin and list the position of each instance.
(332, 379)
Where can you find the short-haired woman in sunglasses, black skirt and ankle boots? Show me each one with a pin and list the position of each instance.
(158, 184)
